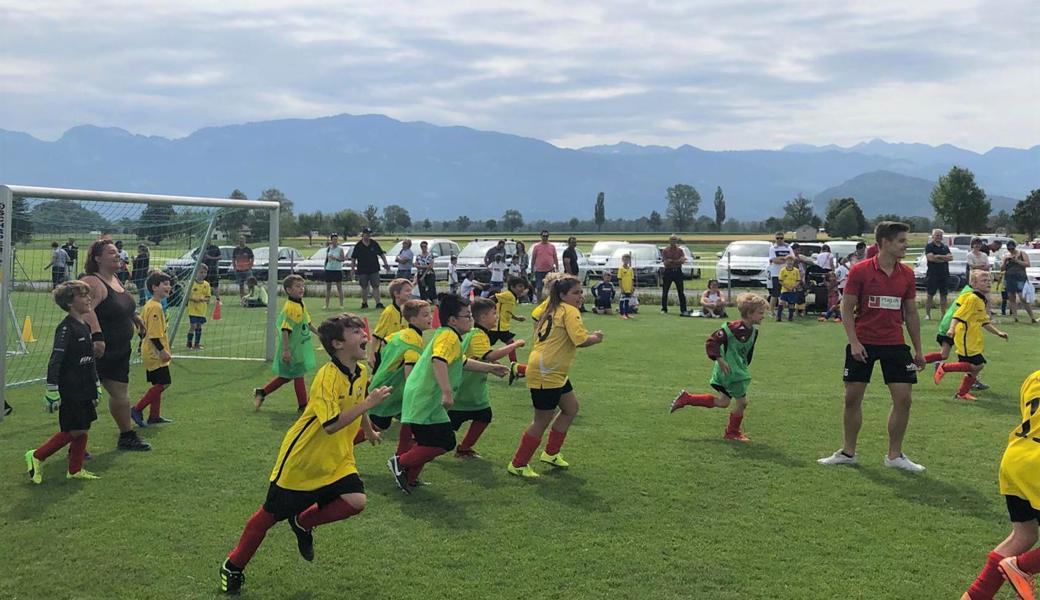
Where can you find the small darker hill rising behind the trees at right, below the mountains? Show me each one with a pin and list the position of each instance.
(888, 193)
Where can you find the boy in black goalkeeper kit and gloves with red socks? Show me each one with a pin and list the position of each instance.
(72, 385)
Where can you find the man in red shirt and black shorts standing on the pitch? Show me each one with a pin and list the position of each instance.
(880, 299)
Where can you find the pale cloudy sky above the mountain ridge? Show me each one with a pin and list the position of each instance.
(716, 74)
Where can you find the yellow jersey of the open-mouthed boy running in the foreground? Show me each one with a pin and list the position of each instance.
(310, 458)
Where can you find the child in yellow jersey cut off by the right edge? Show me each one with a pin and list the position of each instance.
(1020, 480)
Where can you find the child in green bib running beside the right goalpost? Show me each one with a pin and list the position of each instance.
(295, 349)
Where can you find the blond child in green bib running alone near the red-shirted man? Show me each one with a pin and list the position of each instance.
(732, 348)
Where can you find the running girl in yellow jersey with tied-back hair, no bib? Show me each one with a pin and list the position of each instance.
(559, 332)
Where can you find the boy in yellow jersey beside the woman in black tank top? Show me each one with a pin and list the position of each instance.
(154, 352)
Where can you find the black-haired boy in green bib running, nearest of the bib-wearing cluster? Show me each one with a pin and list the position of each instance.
(431, 388)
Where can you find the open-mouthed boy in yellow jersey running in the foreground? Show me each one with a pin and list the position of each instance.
(316, 480)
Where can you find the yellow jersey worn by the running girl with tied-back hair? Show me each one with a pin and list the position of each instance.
(557, 342)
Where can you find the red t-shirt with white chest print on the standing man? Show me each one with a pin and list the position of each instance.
(879, 317)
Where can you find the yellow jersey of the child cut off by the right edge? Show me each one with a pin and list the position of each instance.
(1021, 466)
